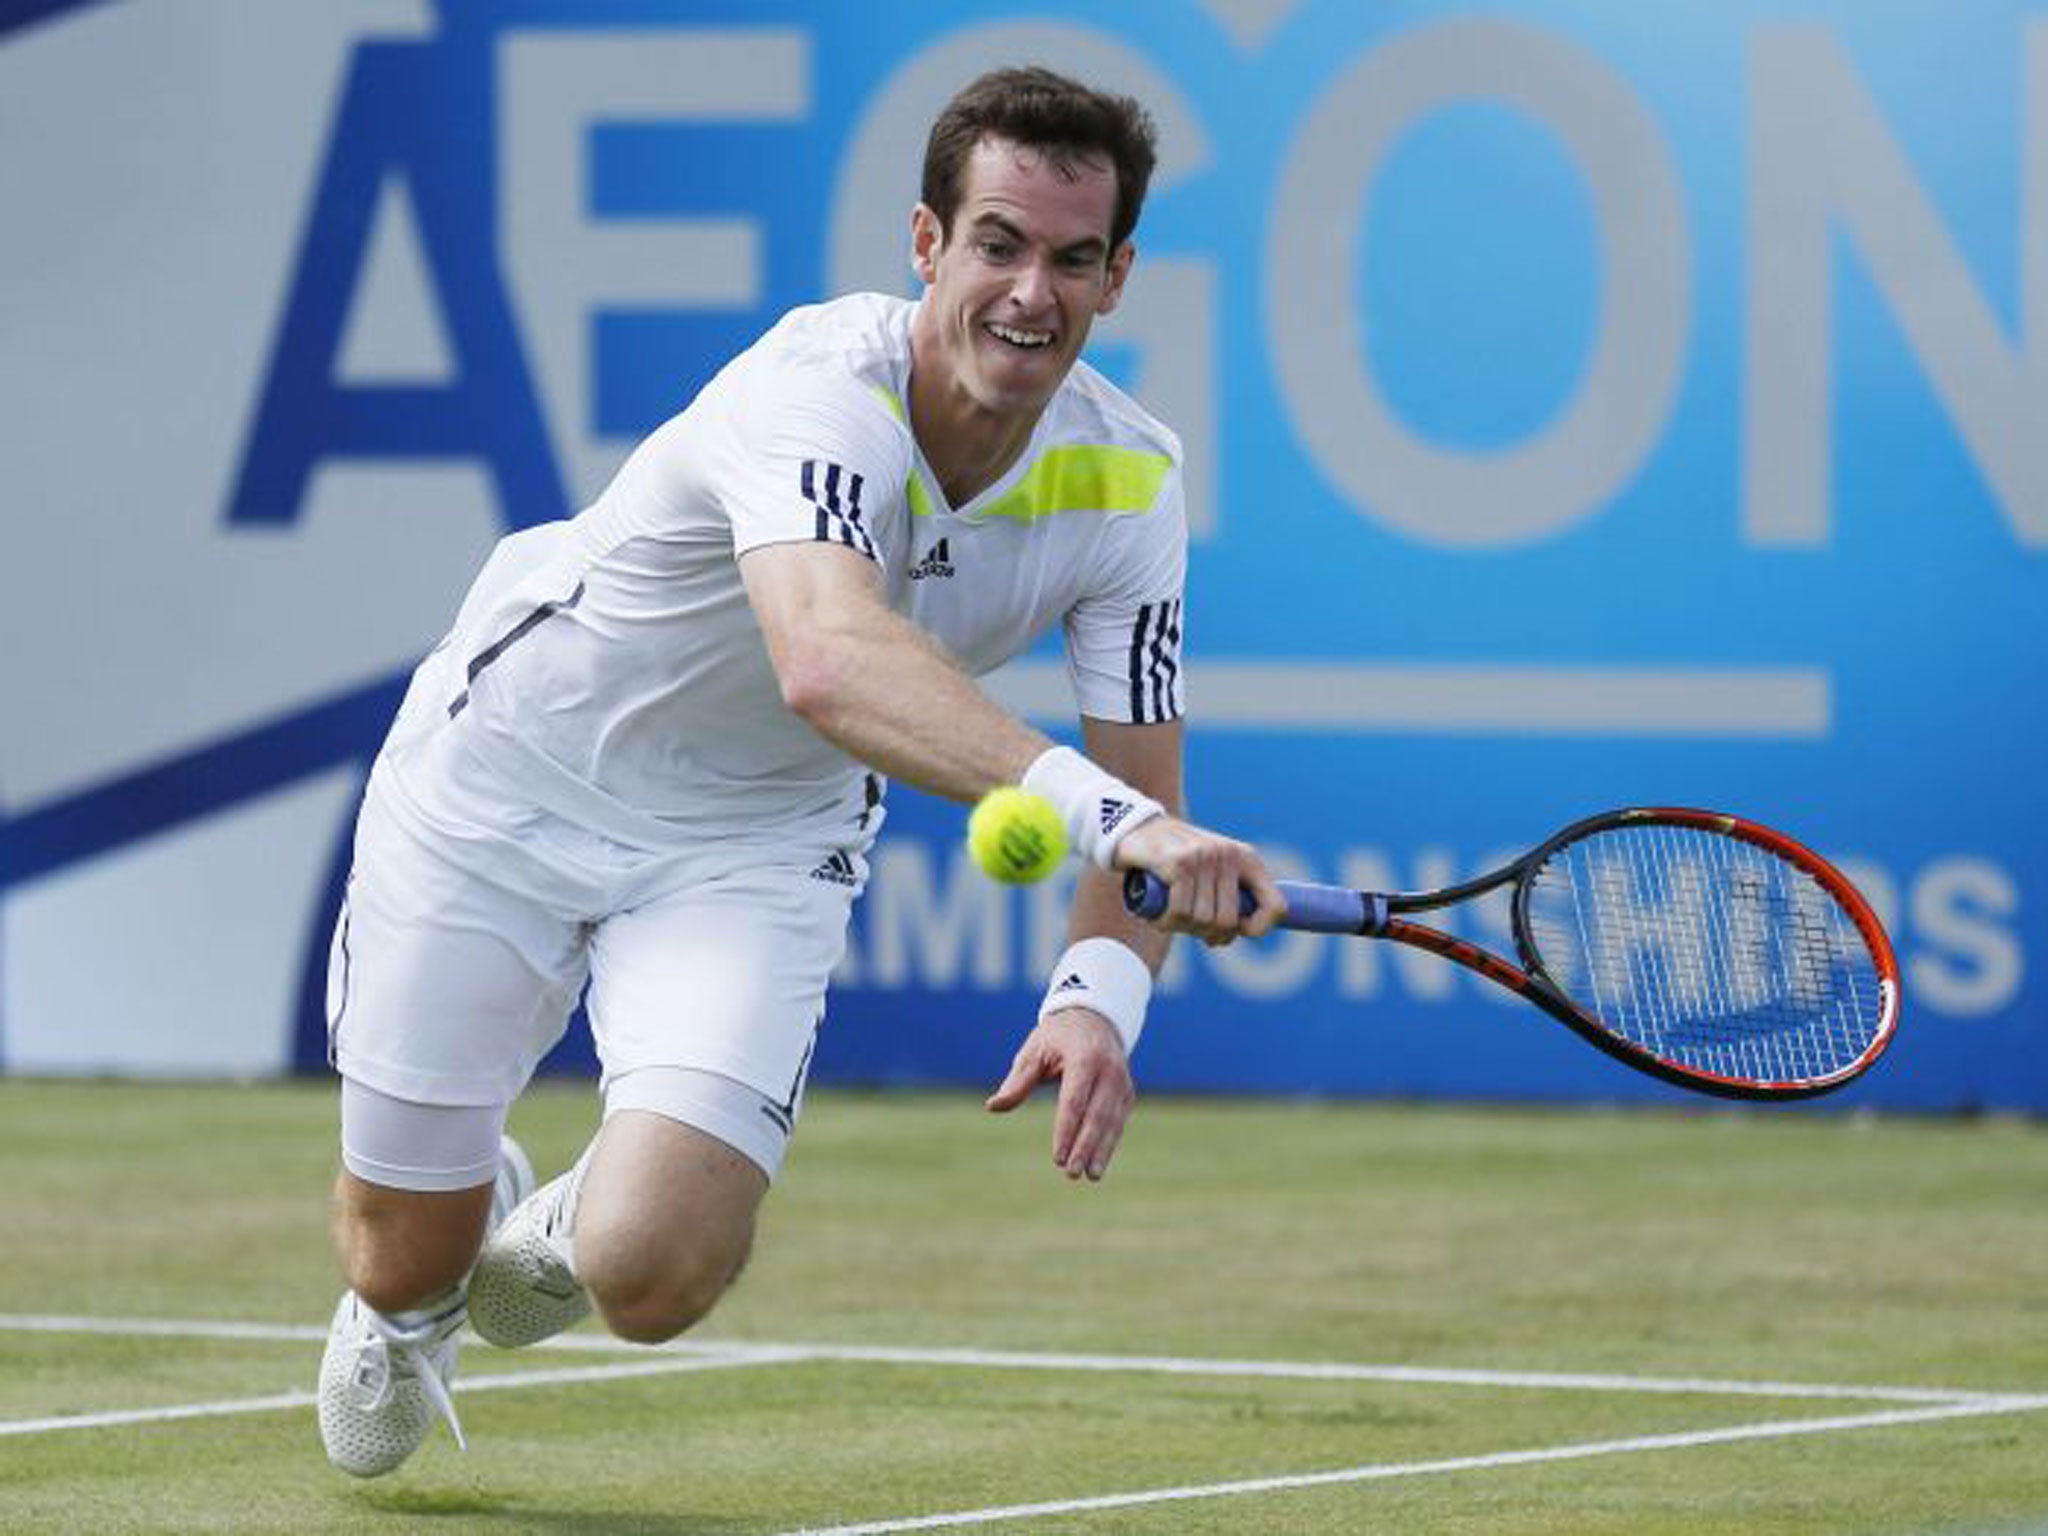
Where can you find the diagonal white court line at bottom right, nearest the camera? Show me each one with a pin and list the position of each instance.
(1777, 1431)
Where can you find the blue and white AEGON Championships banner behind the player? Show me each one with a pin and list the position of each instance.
(1586, 404)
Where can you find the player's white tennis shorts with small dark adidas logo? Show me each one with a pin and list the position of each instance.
(464, 945)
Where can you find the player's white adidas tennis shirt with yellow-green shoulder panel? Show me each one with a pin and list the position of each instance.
(611, 669)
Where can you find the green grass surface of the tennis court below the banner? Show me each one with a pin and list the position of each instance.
(1689, 1246)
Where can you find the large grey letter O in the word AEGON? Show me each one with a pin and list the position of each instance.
(1545, 484)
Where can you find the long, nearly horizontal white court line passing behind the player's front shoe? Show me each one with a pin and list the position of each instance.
(742, 1353)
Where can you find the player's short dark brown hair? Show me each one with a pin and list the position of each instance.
(1043, 112)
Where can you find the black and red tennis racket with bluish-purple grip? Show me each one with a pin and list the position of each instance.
(1691, 945)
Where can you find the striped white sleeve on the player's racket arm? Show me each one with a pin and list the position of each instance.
(814, 458)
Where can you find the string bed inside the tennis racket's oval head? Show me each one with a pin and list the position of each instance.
(1707, 951)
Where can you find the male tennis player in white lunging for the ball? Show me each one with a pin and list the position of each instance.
(652, 753)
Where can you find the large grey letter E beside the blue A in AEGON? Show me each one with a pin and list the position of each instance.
(562, 263)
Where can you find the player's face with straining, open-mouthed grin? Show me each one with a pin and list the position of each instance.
(1023, 275)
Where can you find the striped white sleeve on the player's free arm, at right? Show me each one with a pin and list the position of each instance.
(1125, 636)
